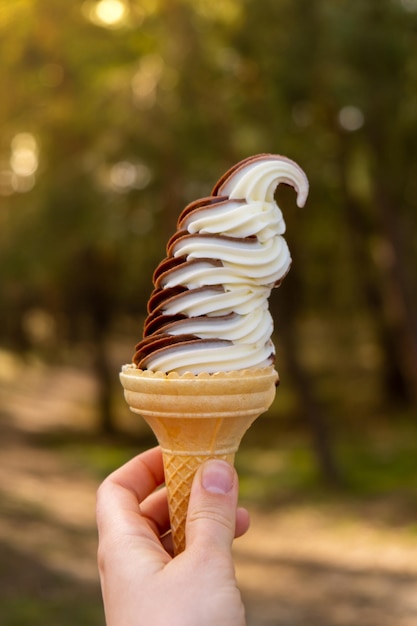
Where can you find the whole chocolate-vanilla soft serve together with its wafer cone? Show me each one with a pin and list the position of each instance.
(204, 370)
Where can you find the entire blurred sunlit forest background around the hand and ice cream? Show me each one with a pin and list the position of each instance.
(114, 115)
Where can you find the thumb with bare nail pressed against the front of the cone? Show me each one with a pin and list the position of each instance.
(211, 518)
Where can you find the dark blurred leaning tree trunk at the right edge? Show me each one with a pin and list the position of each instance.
(380, 272)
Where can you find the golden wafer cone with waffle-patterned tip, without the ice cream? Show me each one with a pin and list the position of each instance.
(194, 418)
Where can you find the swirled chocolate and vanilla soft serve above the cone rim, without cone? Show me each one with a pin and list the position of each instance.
(209, 309)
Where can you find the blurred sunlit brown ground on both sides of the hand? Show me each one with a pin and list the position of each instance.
(332, 562)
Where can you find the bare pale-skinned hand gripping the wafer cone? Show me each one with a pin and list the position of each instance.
(142, 584)
